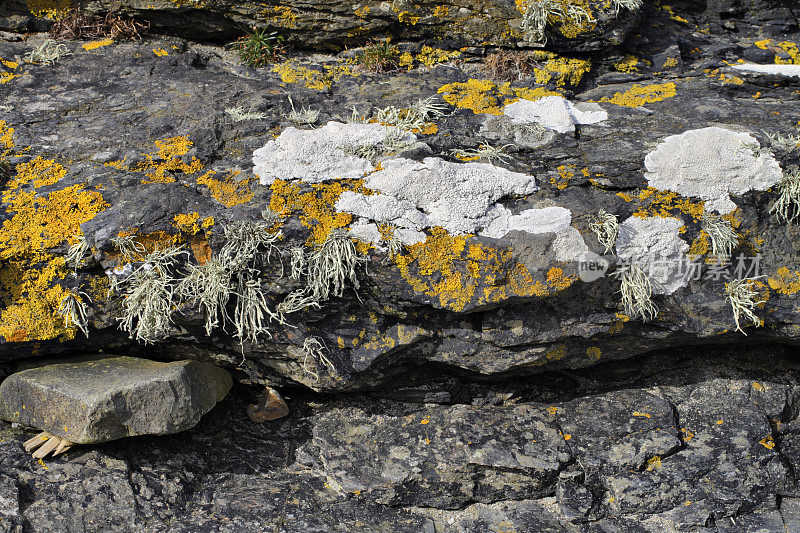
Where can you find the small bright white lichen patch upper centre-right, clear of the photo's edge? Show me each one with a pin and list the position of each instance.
(555, 113)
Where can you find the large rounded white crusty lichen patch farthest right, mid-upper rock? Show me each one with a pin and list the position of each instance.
(713, 164)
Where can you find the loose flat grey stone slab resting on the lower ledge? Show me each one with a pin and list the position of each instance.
(107, 399)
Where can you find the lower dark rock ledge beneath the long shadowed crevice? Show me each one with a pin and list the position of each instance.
(701, 440)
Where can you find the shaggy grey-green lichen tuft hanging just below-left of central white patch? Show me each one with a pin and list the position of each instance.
(332, 264)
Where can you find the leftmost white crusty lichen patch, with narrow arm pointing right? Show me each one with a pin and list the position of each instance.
(333, 151)
